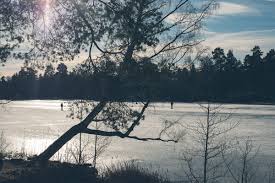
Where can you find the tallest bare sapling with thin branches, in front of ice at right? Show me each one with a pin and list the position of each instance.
(209, 138)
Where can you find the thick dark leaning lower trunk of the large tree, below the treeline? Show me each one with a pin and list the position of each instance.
(68, 135)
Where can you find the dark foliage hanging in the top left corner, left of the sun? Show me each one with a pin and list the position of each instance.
(16, 27)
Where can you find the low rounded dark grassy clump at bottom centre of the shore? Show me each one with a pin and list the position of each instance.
(132, 173)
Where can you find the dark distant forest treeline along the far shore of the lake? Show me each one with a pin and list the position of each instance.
(217, 77)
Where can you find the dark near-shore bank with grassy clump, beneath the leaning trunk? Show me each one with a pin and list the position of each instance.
(56, 172)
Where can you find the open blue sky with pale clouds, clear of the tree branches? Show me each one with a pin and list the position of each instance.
(236, 24)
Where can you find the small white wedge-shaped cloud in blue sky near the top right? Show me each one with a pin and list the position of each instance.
(226, 8)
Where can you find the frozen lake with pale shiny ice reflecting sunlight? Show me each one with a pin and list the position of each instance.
(32, 125)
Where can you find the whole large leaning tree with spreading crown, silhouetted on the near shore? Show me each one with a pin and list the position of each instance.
(128, 33)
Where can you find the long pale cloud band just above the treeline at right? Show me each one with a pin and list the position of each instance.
(241, 42)
